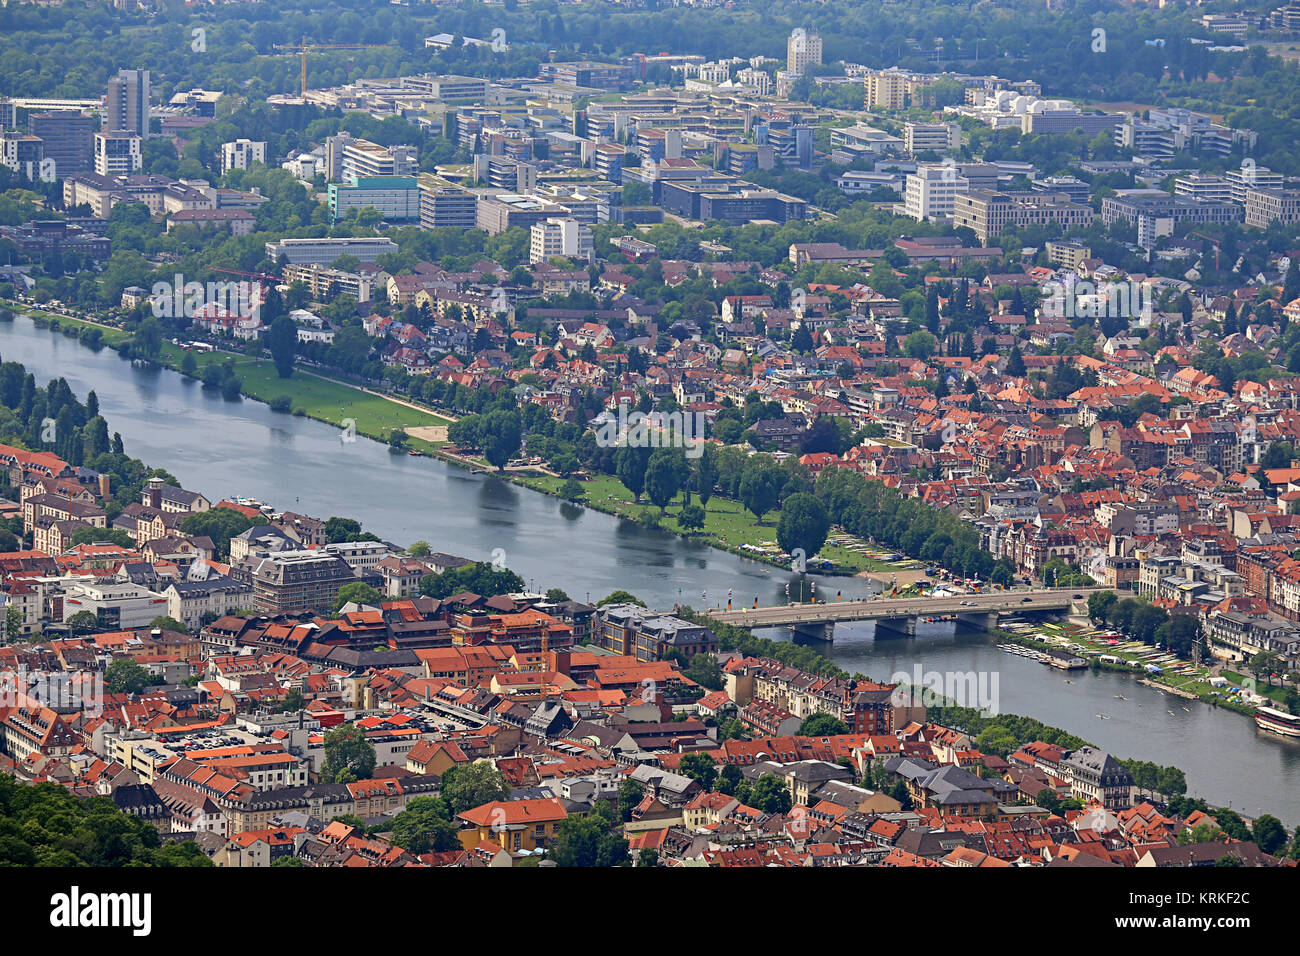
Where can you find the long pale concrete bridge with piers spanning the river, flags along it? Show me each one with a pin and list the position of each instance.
(817, 621)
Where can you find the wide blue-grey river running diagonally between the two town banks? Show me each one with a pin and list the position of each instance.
(241, 448)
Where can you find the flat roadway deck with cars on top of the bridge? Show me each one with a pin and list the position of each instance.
(1055, 599)
